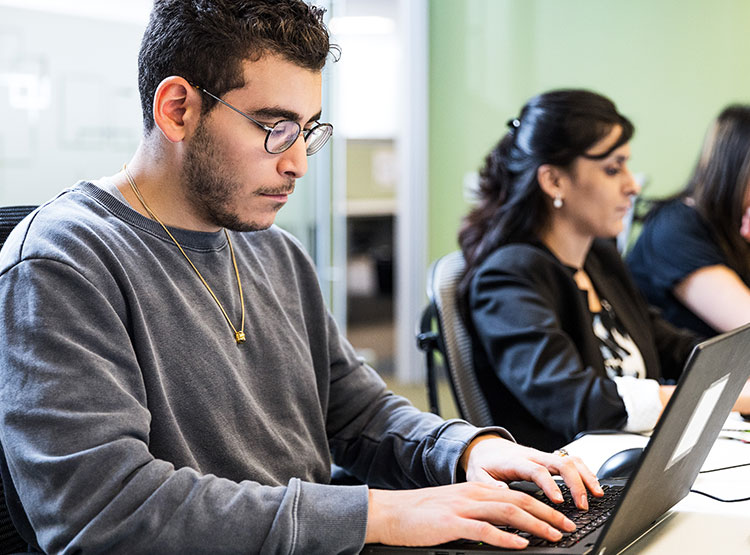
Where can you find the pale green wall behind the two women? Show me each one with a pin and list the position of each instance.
(669, 65)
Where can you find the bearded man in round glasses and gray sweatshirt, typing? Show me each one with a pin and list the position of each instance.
(171, 380)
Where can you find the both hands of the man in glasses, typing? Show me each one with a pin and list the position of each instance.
(471, 510)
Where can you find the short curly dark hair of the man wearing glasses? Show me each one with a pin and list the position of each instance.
(206, 41)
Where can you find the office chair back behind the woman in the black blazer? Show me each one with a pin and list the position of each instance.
(443, 331)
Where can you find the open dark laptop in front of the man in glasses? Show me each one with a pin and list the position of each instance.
(714, 375)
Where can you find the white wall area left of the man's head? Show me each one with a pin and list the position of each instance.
(69, 105)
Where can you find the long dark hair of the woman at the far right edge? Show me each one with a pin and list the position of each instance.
(719, 184)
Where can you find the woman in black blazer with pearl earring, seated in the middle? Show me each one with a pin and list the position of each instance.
(563, 341)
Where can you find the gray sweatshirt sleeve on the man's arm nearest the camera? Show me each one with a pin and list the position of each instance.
(75, 426)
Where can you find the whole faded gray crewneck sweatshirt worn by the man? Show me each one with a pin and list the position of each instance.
(132, 422)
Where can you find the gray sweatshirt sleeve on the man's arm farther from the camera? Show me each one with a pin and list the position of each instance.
(380, 437)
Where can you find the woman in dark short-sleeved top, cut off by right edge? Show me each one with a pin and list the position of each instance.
(692, 259)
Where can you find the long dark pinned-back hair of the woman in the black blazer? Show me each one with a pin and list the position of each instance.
(553, 128)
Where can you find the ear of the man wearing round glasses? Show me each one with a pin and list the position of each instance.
(177, 108)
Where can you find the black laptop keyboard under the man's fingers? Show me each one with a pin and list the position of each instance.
(586, 521)
